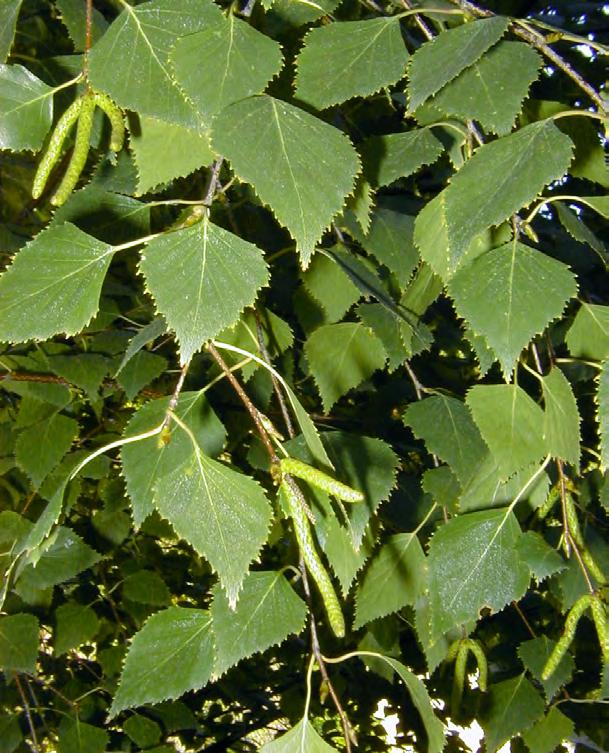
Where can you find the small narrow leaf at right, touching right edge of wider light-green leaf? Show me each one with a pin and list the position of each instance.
(561, 418)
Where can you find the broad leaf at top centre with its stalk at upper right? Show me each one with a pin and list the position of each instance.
(353, 58)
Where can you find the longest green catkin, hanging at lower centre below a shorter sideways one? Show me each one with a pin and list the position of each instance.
(311, 558)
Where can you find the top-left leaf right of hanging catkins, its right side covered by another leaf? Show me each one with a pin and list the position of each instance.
(138, 44)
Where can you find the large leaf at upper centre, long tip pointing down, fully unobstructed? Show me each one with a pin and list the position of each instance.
(314, 165)
